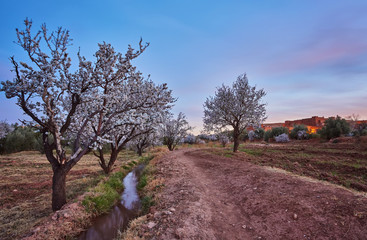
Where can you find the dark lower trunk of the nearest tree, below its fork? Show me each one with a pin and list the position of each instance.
(58, 188)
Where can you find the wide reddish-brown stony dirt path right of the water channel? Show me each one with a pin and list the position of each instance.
(212, 197)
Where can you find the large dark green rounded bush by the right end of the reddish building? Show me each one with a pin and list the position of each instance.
(334, 127)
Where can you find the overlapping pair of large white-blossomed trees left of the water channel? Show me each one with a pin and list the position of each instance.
(100, 103)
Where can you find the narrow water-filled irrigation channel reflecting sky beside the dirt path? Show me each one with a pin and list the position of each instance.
(106, 227)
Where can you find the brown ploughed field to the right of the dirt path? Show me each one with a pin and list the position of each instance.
(343, 163)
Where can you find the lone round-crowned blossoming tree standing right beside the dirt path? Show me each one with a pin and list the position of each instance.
(238, 107)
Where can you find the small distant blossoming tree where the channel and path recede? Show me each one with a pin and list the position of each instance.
(174, 130)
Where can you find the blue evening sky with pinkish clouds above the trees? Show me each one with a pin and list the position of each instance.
(309, 56)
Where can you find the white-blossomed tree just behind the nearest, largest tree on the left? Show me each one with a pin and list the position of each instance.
(126, 104)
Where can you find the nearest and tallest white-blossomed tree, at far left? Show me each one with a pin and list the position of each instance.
(52, 96)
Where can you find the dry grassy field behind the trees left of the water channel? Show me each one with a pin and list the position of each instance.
(25, 188)
